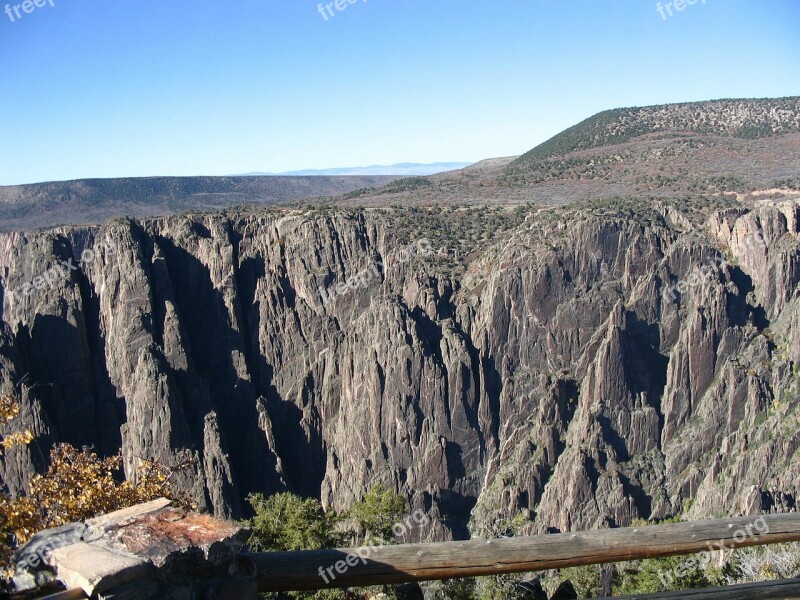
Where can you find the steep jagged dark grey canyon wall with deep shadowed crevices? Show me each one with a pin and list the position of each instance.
(579, 372)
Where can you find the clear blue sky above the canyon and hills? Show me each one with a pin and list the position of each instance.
(112, 88)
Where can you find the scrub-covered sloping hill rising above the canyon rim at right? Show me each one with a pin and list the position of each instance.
(671, 151)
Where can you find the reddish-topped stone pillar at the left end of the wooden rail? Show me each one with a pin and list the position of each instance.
(148, 551)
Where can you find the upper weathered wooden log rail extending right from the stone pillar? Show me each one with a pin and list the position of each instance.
(285, 571)
